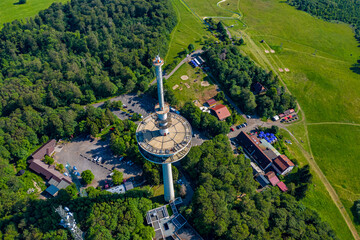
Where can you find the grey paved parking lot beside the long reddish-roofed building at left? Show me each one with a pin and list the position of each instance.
(81, 152)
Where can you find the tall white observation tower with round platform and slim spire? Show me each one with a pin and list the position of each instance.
(164, 137)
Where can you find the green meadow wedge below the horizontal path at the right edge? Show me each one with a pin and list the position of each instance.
(337, 152)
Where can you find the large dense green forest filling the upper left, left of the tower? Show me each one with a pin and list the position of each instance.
(74, 54)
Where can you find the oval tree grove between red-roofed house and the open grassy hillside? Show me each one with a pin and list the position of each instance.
(239, 74)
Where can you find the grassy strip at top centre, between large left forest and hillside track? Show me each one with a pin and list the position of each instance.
(189, 29)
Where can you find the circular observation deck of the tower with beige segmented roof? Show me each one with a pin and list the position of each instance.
(163, 149)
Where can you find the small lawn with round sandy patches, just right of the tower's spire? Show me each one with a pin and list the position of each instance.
(196, 91)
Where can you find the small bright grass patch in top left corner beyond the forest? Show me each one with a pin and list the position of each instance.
(10, 10)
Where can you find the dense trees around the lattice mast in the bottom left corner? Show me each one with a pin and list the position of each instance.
(101, 216)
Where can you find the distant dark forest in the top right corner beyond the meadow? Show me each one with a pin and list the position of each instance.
(347, 11)
